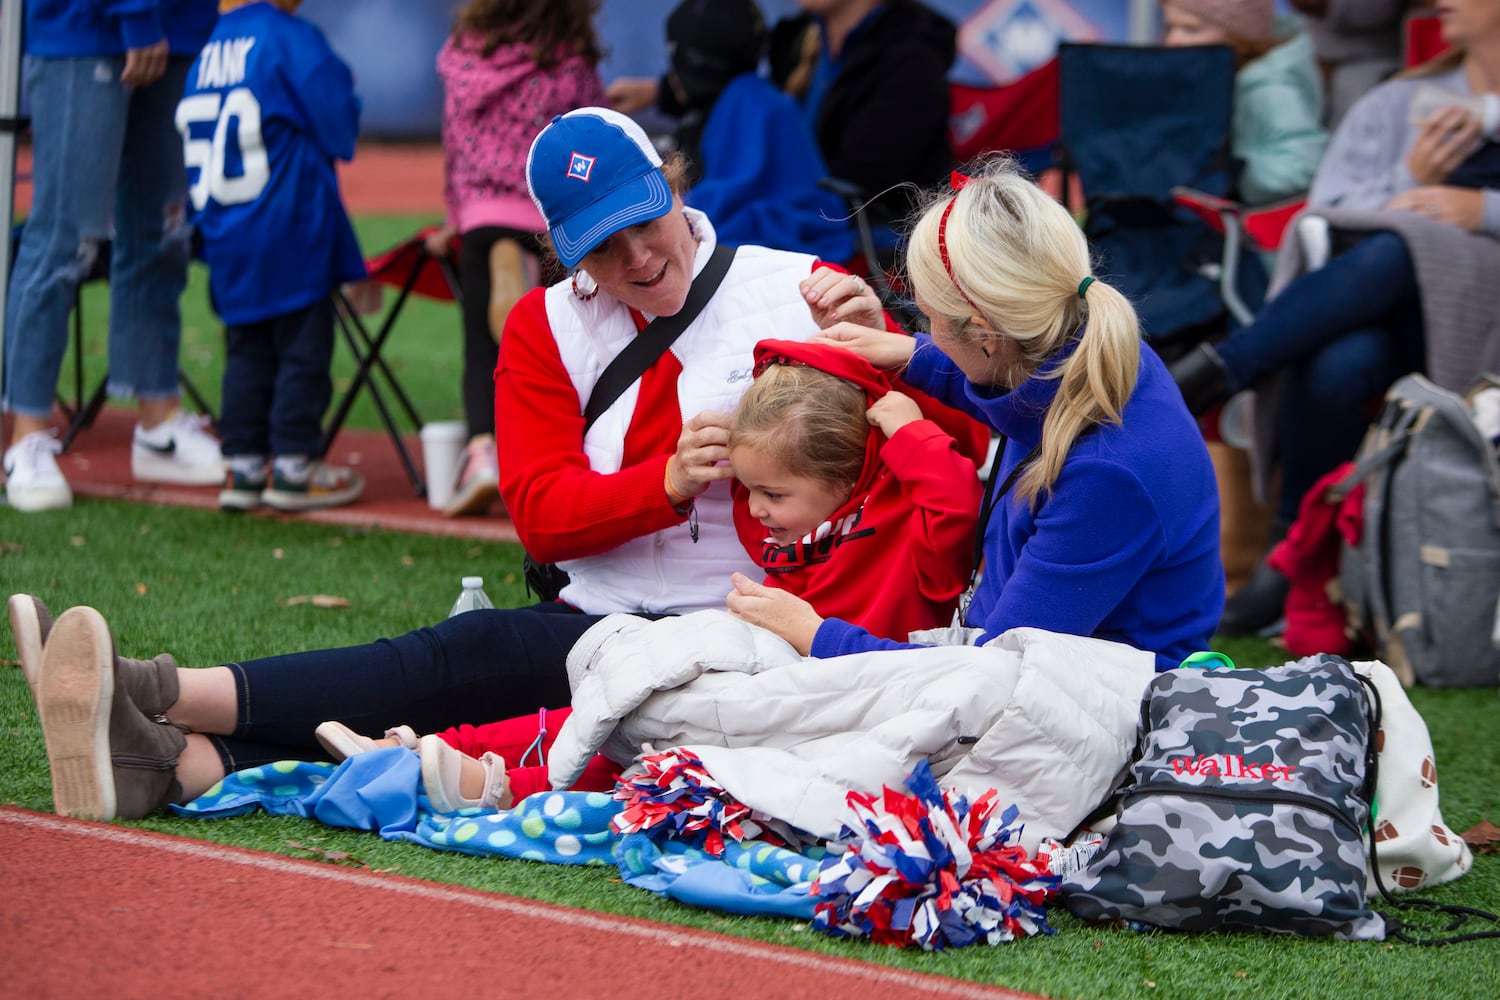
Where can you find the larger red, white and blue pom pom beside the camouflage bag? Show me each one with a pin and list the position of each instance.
(929, 869)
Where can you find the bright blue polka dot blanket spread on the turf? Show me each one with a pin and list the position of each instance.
(382, 792)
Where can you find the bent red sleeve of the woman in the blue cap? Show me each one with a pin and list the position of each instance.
(562, 509)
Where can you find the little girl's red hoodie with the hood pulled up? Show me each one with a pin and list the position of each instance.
(896, 555)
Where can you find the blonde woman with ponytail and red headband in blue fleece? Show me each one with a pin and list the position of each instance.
(1105, 513)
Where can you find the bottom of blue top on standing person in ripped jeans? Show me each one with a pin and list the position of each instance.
(79, 29)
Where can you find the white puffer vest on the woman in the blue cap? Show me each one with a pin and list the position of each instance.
(667, 572)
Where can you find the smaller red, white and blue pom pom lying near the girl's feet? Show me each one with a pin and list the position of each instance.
(676, 797)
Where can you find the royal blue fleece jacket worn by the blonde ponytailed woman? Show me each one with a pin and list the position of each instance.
(1127, 543)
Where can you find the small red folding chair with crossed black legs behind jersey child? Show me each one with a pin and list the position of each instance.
(410, 269)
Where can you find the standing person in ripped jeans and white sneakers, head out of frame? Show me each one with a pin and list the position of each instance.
(107, 175)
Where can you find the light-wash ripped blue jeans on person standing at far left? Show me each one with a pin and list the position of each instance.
(103, 154)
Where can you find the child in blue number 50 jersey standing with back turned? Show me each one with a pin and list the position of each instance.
(266, 112)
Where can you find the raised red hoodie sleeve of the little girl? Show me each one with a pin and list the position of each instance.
(944, 494)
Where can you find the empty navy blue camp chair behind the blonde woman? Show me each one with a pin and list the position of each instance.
(1138, 124)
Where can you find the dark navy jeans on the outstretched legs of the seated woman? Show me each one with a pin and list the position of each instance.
(476, 668)
